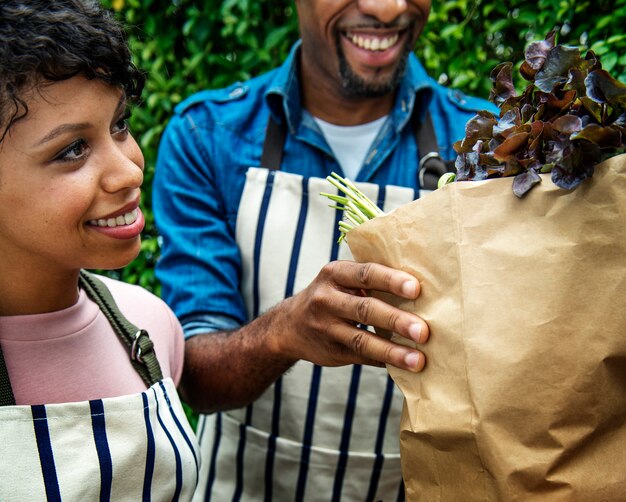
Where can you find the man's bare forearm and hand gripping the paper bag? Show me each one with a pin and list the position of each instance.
(320, 324)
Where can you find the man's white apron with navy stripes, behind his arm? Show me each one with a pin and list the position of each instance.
(318, 433)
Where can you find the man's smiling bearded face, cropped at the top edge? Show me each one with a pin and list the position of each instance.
(360, 46)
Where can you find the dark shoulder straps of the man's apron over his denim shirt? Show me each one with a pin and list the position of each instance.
(431, 166)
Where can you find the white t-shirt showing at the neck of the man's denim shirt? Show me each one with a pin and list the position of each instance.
(350, 144)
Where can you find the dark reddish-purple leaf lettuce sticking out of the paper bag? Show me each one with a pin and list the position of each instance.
(569, 118)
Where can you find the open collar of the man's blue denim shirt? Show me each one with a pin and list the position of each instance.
(283, 94)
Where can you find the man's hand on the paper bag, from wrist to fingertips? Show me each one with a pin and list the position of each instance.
(320, 324)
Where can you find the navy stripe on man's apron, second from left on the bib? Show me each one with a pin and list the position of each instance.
(291, 279)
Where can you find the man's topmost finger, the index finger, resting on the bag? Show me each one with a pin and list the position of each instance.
(372, 276)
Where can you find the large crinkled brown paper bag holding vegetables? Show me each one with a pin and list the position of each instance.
(524, 392)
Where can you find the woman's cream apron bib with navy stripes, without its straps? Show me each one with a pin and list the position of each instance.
(137, 447)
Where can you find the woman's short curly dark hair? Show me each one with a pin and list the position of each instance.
(43, 41)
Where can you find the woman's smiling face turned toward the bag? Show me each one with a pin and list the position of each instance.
(70, 177)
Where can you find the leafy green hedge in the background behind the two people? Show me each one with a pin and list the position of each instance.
(187, 45)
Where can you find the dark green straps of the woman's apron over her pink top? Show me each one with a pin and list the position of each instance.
(142, 355)
